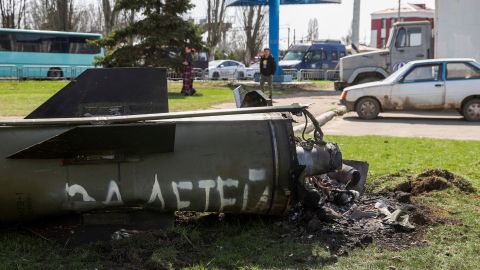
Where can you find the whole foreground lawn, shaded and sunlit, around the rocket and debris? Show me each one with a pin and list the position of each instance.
(257, 243)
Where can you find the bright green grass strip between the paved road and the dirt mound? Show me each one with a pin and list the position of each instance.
(388, 155)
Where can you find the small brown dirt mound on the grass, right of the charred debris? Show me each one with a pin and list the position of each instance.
(435, 179)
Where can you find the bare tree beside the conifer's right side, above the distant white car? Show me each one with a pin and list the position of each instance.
(215, 26)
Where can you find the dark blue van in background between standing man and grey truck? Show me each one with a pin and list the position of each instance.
(318, 55)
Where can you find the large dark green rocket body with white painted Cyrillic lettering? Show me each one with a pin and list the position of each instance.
(244, 160)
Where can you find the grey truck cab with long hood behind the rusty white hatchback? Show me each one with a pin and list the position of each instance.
(409, 41)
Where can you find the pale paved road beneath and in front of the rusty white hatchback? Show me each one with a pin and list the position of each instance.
(441, 125)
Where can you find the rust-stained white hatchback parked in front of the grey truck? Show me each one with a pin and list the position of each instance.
(437, 84)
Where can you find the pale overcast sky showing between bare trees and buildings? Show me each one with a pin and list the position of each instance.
(334, 19)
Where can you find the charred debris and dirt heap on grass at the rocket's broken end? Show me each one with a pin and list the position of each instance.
(391, 218)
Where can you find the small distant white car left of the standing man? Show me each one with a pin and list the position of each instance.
(226, 69)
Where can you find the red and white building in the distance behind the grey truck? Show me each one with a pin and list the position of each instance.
(383, 20)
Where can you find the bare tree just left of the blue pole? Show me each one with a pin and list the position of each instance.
(253, 20)
